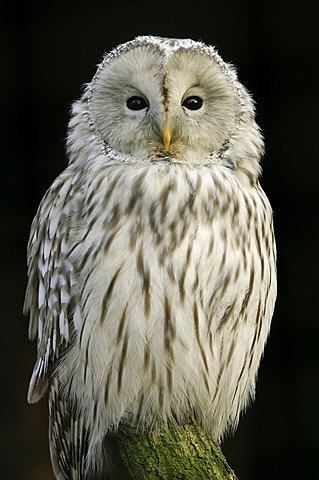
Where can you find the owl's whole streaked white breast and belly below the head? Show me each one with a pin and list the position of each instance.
(176, 297)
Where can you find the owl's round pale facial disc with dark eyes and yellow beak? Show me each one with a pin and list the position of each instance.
(151, 104)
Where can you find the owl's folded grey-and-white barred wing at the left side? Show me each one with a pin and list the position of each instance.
(51, 292)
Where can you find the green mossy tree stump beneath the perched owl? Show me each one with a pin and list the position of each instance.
(182, 452)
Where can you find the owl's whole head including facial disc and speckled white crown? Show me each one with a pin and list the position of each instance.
(166, 100)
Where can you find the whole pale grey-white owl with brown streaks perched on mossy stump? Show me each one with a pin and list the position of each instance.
(151, 259)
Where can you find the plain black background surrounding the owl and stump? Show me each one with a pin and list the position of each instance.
(48, 50)
